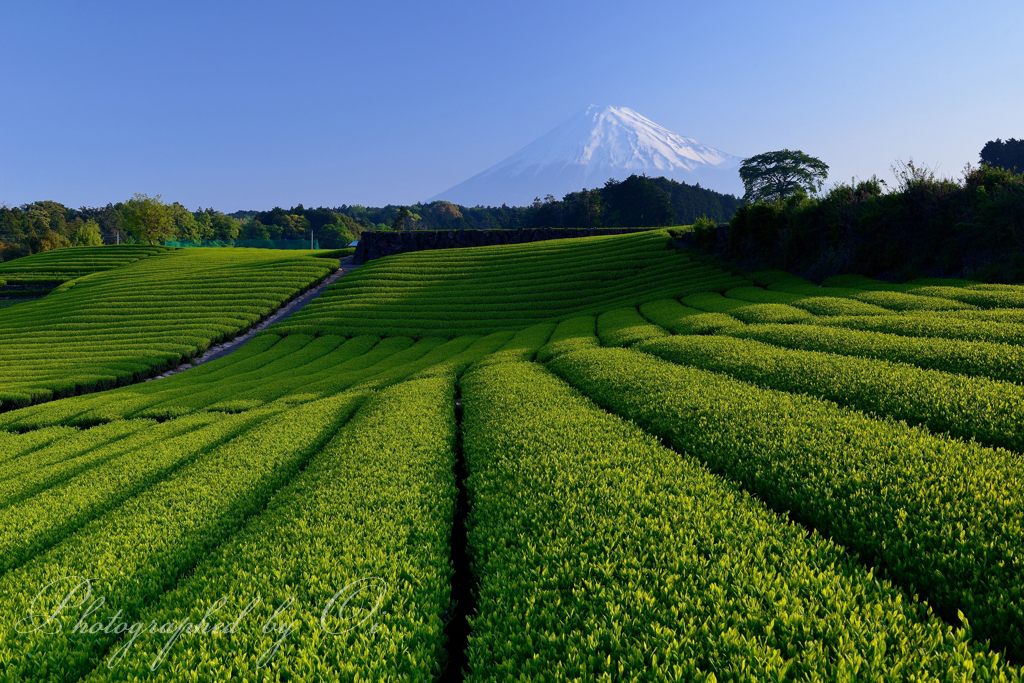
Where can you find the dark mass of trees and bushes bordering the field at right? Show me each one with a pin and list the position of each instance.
(922, 227)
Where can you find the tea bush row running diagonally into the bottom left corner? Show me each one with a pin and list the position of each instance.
(139, 550)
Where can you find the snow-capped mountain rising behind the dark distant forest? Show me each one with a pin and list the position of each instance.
(599, 144)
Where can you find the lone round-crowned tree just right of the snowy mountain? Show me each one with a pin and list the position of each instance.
(776, 176)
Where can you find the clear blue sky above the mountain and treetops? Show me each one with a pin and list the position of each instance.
(248, 105)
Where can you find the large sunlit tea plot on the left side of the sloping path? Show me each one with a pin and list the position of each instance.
(115, 327)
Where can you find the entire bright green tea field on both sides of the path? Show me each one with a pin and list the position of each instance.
(600, 459)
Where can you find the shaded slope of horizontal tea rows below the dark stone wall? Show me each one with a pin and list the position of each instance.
(490, 289)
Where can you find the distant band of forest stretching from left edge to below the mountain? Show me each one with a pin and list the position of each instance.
(636, 202)
